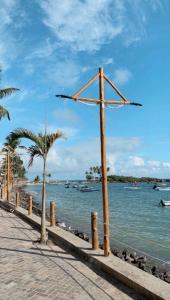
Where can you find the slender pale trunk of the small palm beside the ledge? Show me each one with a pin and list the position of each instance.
(43, 238)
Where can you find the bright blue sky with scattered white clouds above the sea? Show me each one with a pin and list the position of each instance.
(53, 47)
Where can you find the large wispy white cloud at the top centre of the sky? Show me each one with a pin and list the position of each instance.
(83, 25)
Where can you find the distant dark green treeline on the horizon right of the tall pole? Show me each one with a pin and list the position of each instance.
(116, 178)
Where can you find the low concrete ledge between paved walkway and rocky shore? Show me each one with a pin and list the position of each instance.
(138, 280)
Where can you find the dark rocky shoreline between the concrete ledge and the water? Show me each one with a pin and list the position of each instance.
(143, 262)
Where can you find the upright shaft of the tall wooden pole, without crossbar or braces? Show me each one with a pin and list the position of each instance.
(106, 241)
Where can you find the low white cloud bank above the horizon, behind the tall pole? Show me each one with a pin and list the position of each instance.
(71, 162)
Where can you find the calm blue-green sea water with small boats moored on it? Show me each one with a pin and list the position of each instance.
(135, 217)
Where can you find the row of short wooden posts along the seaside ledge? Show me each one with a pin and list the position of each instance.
(94, 218)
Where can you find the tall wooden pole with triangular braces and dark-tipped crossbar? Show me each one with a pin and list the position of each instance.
(102, 102)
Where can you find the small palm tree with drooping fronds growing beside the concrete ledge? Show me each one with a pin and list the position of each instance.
(42, 143)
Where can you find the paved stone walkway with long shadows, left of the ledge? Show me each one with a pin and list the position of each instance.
(28, 271)
